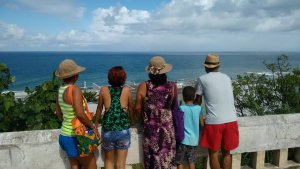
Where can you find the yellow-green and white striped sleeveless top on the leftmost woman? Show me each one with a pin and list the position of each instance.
(68, 113)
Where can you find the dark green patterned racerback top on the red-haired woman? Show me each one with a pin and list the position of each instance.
(115, 119)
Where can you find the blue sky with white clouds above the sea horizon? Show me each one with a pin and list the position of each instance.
(149, 25)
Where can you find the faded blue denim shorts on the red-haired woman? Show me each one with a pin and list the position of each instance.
(113, 140)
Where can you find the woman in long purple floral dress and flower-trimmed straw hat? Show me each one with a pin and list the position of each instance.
(153, 102)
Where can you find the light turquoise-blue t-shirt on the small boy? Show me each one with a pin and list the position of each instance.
(192, 115)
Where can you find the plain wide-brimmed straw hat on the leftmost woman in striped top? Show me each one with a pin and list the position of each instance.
(68, 68)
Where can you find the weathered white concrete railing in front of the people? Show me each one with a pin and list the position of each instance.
(40, 149)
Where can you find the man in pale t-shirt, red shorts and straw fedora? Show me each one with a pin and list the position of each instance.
(221, 128)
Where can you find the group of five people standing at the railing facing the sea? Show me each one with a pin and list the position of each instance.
(154, 98)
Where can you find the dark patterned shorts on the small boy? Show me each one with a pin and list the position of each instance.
(187, 154)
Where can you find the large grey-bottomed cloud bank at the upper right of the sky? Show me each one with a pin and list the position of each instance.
(227, 15)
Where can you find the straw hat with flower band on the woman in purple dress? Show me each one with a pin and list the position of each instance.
(158, 65)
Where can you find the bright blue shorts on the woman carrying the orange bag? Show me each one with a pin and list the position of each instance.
(69, 145)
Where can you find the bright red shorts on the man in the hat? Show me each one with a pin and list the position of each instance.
(225, 135)
